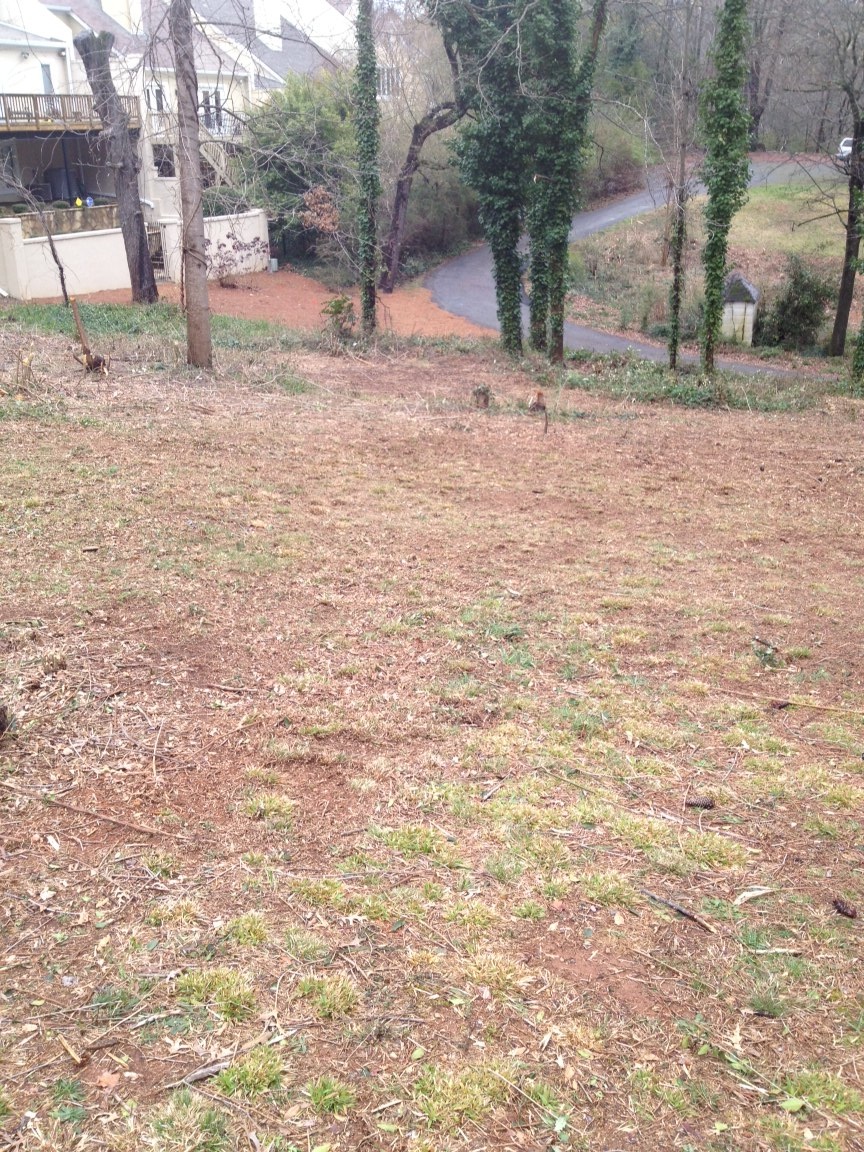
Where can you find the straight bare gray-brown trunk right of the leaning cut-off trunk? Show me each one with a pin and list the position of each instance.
(200, 346)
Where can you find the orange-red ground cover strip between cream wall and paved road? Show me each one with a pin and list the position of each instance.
(297, 301)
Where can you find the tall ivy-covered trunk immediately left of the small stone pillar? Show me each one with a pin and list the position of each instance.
(726, 171)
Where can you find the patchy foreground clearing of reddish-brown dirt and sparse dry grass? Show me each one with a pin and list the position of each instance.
(365, 746)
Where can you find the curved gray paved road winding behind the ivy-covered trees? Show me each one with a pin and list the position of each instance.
(466, 287)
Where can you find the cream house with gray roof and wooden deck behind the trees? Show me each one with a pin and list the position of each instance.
(50, 133)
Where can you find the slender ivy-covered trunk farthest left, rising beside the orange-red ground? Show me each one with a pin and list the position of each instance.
(367, 118)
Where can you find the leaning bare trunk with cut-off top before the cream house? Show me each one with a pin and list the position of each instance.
(95, 51)
